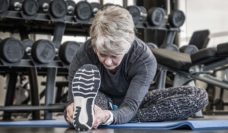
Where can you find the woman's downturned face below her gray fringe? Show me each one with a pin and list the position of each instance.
(110, 62)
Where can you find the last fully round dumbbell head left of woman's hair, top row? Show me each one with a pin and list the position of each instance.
(83, 10)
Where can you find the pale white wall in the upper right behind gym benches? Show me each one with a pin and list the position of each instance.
(205, 14)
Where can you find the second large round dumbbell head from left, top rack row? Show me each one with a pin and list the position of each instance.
(30, 7)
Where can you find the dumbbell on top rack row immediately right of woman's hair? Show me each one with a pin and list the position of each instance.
(138, 13)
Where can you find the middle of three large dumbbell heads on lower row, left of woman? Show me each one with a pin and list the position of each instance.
(43, 51)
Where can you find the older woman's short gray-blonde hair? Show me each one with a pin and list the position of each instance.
(112, 30)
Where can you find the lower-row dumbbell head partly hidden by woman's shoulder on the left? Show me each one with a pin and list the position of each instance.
(67, 51)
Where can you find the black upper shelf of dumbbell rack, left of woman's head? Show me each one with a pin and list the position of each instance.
(42, 23)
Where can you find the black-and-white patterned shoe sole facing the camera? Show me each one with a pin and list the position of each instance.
(85, 85)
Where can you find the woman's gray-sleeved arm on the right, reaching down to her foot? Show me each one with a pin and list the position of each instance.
(143, 74)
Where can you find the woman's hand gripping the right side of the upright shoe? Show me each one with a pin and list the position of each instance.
(100, 116)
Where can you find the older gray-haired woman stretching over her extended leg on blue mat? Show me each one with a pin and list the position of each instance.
(110, 76)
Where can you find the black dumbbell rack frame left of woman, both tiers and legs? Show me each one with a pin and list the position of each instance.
(42, 23)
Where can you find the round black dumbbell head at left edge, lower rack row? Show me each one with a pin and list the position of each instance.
(11, 50)
